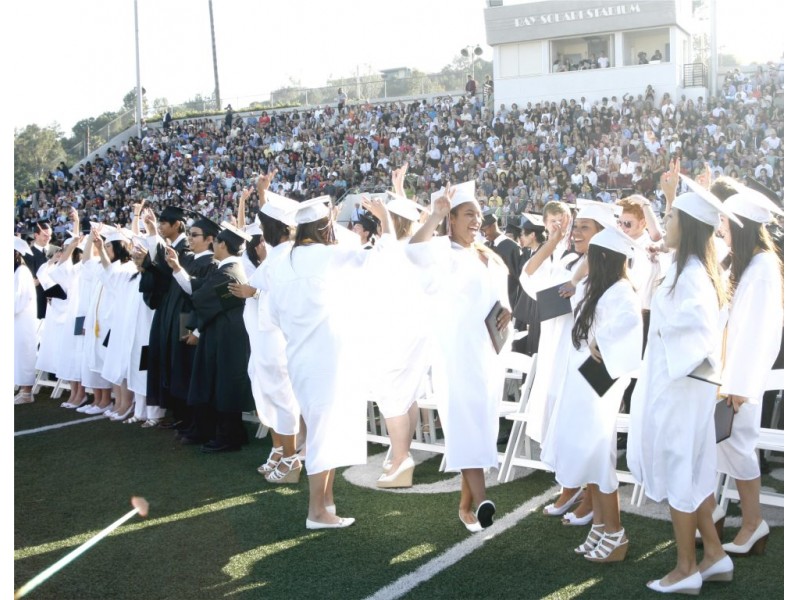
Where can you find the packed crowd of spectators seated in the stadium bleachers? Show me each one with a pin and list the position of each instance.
(520, 156)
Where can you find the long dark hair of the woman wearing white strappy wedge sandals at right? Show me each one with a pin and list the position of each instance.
(606, 267)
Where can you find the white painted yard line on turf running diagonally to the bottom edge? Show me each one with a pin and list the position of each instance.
(430, 569)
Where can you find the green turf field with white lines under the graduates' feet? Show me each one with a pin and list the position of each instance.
(216, 529)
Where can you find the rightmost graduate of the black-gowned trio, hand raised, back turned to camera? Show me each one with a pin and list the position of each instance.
(220, 380)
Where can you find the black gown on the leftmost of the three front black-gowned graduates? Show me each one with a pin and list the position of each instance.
(168, 359)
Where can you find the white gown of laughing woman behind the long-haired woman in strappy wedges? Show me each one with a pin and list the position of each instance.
(554, 343)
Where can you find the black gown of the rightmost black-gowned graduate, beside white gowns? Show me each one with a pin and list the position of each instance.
(220, 364)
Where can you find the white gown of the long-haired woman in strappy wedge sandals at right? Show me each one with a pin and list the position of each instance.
(581, 445)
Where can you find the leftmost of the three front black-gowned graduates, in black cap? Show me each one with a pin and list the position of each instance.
(169, 358)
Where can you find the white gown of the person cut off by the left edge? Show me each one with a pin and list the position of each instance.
(25, 324)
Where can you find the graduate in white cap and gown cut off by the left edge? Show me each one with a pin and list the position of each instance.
(24, 324)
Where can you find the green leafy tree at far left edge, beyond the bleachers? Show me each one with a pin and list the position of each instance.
(37, 151)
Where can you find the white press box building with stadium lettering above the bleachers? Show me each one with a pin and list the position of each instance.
(539, 47)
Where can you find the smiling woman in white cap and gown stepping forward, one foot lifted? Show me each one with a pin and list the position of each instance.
(467, 281)
